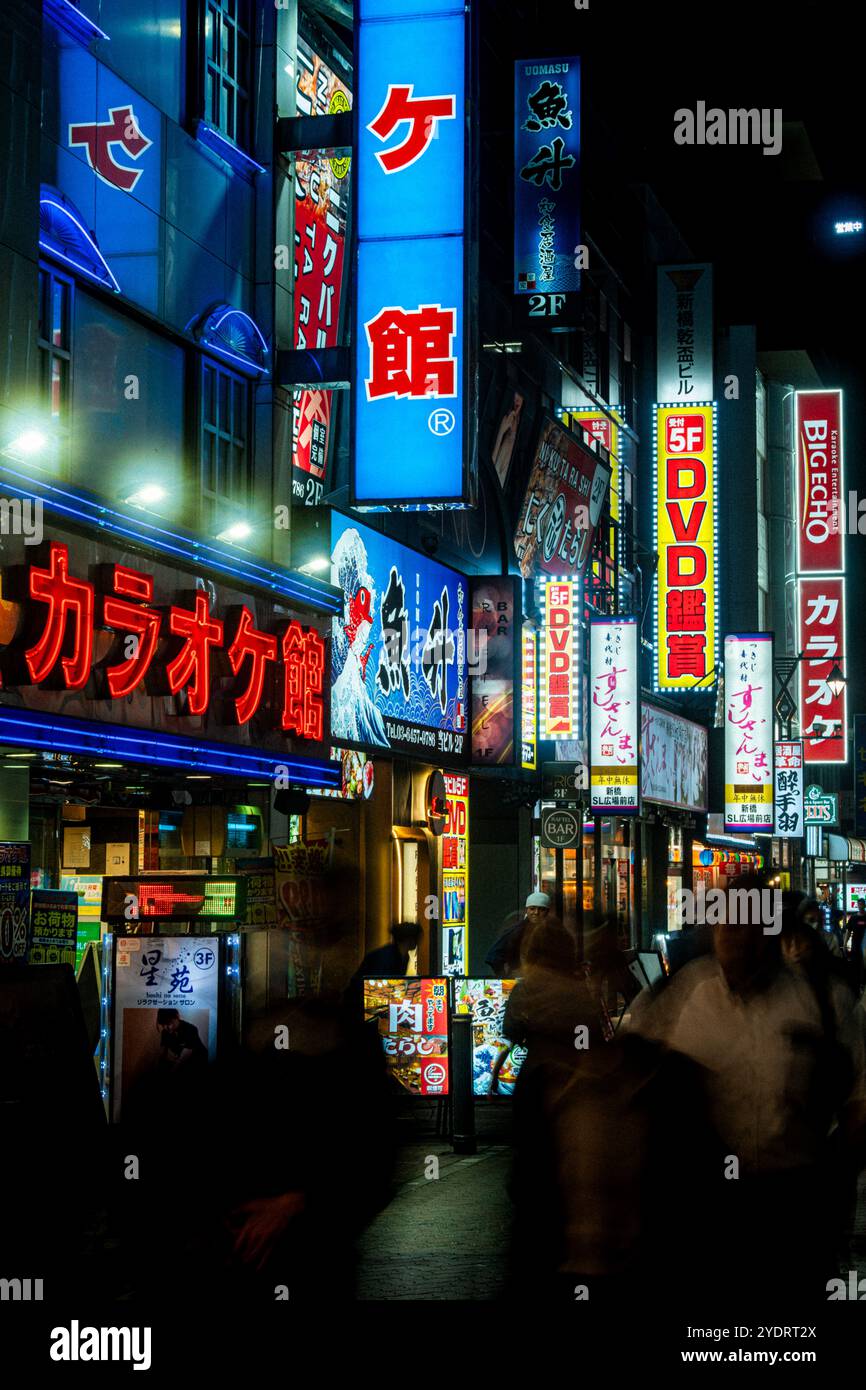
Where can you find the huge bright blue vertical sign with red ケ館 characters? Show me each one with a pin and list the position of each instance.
(414, 390)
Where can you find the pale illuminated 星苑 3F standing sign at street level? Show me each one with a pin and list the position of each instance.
(165, 1027)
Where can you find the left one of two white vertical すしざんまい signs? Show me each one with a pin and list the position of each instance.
(614, 715)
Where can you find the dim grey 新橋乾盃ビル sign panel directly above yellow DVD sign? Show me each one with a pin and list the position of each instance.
(685, 333)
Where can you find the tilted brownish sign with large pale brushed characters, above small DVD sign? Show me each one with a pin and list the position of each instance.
(562, 505)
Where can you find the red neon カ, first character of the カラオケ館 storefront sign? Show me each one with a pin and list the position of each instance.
(66, 598)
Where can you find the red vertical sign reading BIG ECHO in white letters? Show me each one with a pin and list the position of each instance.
(819, 482)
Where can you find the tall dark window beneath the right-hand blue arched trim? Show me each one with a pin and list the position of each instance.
(224, 439)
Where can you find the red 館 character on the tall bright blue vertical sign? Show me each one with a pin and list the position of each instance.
(411, 352)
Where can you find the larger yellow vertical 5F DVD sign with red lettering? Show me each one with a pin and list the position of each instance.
(686, 541)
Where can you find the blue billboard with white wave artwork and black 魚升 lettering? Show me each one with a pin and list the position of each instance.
(398, 650)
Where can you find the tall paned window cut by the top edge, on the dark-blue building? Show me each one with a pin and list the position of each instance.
(227, 67)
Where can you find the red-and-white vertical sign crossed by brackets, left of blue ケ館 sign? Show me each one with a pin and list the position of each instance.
(322, 209)
